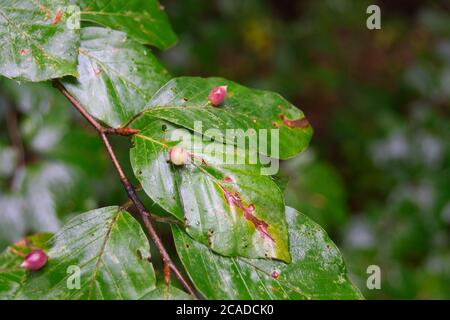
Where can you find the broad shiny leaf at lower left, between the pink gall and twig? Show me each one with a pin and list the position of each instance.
(111, 251)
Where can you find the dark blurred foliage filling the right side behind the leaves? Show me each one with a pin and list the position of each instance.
(378, 177)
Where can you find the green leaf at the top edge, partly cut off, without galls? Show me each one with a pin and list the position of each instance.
(145, 21)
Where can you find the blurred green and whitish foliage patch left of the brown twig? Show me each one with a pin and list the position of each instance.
(51, 167)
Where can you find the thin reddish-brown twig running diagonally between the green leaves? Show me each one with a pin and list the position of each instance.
(145, 215)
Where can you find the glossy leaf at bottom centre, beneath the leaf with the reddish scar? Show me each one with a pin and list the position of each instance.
(317, 270)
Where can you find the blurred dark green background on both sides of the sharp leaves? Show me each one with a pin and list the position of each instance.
(377, 174)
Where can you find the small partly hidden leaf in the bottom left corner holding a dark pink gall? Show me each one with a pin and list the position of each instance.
(12, 275)
